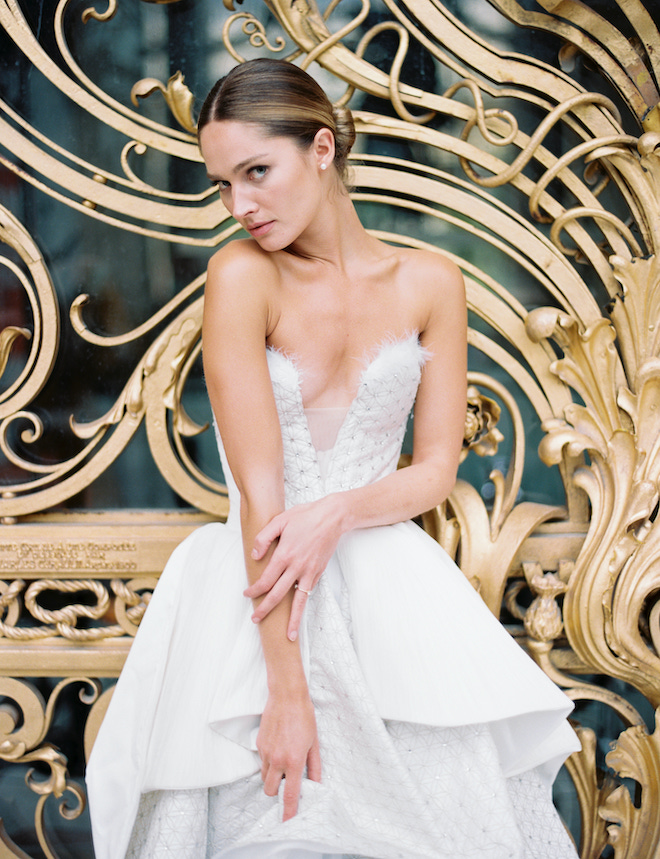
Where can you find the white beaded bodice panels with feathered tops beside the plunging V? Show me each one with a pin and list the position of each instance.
(369, 440)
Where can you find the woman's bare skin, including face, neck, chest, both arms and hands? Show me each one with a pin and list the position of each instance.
(313, 283)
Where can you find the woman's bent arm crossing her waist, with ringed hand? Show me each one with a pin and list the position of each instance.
(307, 535)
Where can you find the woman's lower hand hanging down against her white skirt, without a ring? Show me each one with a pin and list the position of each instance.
(288, 743)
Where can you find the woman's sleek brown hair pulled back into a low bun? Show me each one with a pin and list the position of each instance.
(284, 100)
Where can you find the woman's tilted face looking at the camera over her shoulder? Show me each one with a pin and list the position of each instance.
(268, 184)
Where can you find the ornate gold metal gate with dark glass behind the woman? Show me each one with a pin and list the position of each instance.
(521, 138)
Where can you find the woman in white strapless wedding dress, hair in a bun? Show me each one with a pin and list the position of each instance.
(357, 698)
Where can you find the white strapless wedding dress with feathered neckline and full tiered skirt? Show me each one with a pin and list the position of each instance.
(439, 736)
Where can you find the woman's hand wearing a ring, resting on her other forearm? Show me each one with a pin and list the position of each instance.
(307, 536)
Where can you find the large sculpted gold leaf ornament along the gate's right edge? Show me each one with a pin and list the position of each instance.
(617, 426)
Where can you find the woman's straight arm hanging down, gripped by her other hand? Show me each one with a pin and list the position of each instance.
(237, 319)
